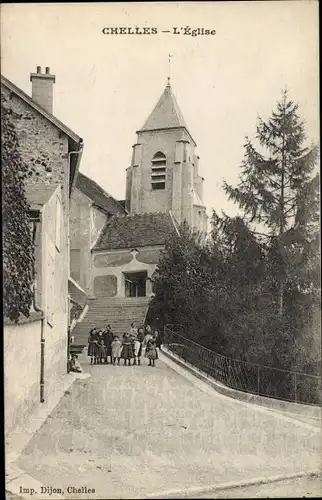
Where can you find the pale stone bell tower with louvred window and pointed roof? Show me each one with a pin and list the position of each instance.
(163, 175)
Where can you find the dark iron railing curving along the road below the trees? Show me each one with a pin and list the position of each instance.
(244, 376)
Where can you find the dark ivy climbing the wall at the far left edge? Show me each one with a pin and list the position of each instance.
(18, 251)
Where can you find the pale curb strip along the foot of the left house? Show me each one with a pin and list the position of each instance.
(20, 438)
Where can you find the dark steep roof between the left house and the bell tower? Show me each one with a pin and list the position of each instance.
(99, 197)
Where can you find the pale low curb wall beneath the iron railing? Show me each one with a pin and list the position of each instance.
(312, 413)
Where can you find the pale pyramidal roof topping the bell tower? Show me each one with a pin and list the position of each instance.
(166, 113)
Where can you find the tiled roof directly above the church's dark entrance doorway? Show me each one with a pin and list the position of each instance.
(137, 230)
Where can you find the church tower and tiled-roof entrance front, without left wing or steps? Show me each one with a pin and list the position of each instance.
(163, 189)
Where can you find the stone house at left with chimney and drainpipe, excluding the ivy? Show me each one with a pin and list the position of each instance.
(35, 349)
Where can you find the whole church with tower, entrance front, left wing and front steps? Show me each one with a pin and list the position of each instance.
(163, 189)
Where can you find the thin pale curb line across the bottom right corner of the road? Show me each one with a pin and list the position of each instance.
(232, 485)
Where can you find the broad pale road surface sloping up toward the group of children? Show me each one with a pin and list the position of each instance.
(131, 431)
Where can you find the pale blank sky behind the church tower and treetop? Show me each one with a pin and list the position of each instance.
(107, 85)
